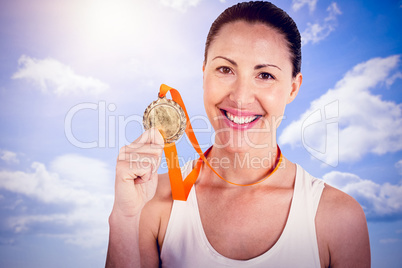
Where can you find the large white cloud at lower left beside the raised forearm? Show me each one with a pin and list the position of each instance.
(80, 186)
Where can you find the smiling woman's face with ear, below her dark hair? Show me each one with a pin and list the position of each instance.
(247, 84)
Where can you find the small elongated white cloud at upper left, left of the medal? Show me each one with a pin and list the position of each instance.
(51, 75)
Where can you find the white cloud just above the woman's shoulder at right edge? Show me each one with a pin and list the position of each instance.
(379, 201)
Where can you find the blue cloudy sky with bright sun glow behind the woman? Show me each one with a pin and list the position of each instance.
(76, 76)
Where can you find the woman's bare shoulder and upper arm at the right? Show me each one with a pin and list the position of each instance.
(342, 230)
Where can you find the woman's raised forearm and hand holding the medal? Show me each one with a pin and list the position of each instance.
(135, 184)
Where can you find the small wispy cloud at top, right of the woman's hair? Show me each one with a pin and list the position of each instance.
(316, 32)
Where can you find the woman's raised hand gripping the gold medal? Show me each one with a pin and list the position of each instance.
(136, 173)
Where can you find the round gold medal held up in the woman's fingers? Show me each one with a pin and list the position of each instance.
(167, 116)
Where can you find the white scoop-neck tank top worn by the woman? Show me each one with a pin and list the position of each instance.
(186, 245)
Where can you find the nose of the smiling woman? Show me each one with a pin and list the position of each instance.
(242, 93)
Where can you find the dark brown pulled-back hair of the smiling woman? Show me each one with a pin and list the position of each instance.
(266, 13)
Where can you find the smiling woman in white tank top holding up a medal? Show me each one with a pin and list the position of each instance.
(251, 71)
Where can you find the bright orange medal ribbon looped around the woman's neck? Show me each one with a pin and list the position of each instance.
(180, 188)
